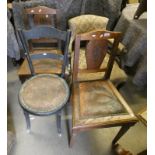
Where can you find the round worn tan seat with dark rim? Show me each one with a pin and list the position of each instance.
(44, 94)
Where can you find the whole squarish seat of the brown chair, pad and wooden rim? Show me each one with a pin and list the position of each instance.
(98, 103)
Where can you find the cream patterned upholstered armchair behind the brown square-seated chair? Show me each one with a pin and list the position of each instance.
(86, 23)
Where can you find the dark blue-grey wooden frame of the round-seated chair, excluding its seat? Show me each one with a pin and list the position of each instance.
(39, 32)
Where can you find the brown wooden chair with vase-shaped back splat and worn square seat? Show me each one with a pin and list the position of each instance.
(96, 102)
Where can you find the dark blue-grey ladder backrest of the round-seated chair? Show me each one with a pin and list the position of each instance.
(48, 32)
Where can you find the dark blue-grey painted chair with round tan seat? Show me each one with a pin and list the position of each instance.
(44, 94)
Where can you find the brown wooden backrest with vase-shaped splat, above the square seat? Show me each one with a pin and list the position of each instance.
(95, 52)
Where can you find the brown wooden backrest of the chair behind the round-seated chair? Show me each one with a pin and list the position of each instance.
(41, 15)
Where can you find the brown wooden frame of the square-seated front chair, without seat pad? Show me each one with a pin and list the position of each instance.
(80, 124)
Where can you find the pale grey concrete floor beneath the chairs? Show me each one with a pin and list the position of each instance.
(44, 140)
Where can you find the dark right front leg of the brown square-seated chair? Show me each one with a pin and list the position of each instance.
(121, 132)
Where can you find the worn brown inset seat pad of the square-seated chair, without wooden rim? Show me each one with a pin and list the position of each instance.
(97, 99)
